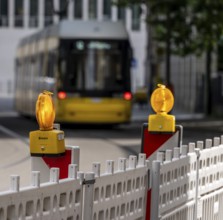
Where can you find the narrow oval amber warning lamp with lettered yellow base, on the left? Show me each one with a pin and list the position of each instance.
(47, 140)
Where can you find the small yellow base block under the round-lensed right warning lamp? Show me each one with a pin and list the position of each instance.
(161, 123)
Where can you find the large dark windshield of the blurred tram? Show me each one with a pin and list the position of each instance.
(94, 67)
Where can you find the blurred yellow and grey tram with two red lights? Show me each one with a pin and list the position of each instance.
(86, 64)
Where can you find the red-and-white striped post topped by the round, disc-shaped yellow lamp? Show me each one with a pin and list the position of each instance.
(160, 133)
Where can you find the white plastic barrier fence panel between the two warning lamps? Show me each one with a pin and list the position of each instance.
(121, 195)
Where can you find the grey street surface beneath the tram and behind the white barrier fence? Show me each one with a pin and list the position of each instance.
(97, 143)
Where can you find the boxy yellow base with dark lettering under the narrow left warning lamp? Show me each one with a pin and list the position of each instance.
(49, 143)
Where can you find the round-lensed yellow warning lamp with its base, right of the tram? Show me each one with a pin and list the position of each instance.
(162, 101)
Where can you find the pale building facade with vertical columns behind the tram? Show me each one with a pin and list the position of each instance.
(19, 18)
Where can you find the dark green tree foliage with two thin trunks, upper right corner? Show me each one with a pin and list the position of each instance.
(185, 27)
